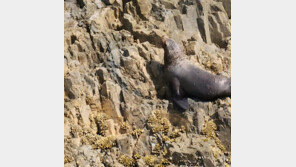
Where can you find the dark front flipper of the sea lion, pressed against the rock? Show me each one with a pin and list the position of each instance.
(178, 94)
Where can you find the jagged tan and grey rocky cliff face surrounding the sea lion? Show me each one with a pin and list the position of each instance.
(117, 109)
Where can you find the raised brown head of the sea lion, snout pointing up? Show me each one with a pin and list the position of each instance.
(172, 51)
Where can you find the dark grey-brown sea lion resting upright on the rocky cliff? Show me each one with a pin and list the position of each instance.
(187, 80)
